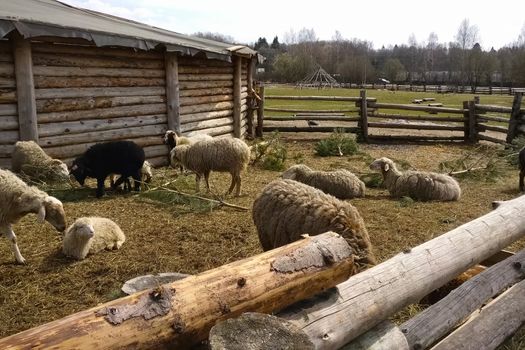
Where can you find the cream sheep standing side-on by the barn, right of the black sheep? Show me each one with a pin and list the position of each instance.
(226, 155)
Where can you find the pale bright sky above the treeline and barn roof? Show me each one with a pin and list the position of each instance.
(383, 22)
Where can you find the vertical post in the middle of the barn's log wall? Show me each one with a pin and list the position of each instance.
(172, 91)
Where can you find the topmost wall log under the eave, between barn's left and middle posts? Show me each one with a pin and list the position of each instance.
(95, 51)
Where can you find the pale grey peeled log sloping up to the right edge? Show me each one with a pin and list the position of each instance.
(371, 296)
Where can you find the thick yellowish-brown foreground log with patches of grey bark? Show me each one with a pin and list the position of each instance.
(180, 314)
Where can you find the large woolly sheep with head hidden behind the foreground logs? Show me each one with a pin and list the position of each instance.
(286, 209)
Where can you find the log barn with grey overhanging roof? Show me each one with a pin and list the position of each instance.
(72, 77)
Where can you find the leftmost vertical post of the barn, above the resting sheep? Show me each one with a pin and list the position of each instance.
(25, 88)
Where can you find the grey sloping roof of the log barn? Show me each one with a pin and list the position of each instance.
(34, 18)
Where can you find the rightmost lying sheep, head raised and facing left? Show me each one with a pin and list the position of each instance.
(423, 186)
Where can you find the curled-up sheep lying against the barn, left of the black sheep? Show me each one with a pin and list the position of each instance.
(28, 158)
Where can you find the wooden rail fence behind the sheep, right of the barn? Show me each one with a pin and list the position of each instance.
(375, 121)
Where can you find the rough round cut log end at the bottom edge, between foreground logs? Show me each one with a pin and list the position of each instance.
(255, 331)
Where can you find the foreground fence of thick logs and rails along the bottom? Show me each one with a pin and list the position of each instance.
(180, 314)
